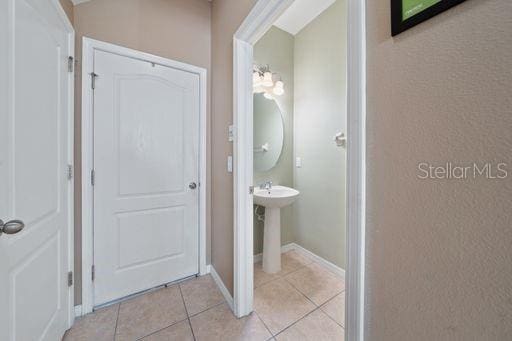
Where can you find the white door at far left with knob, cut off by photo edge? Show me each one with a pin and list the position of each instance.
(35, 103)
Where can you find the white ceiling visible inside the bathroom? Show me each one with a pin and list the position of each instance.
(301, 13)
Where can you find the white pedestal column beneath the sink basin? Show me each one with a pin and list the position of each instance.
(272, 240)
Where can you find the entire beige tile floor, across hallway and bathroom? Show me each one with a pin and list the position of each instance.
(301, 302)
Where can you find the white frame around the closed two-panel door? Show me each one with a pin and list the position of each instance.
(88, 48)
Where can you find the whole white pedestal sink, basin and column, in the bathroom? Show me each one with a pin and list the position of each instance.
(273, 199)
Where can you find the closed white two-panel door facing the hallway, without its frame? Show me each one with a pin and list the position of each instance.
(146, 171)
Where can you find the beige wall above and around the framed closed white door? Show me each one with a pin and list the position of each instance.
(178, 29)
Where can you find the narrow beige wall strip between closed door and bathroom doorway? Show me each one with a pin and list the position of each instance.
(227, 15)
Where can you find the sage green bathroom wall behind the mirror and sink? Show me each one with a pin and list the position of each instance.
(275, 48)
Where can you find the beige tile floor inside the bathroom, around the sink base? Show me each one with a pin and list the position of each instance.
(301, 302)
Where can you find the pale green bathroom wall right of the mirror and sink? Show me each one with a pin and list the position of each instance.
(320, 112)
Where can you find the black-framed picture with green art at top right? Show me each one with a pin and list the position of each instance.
(408, 13)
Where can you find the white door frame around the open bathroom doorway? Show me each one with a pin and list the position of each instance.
(259, 20)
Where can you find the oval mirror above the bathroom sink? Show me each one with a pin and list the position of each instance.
(268, 133)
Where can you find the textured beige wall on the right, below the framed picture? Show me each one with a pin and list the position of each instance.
(439, 253)
